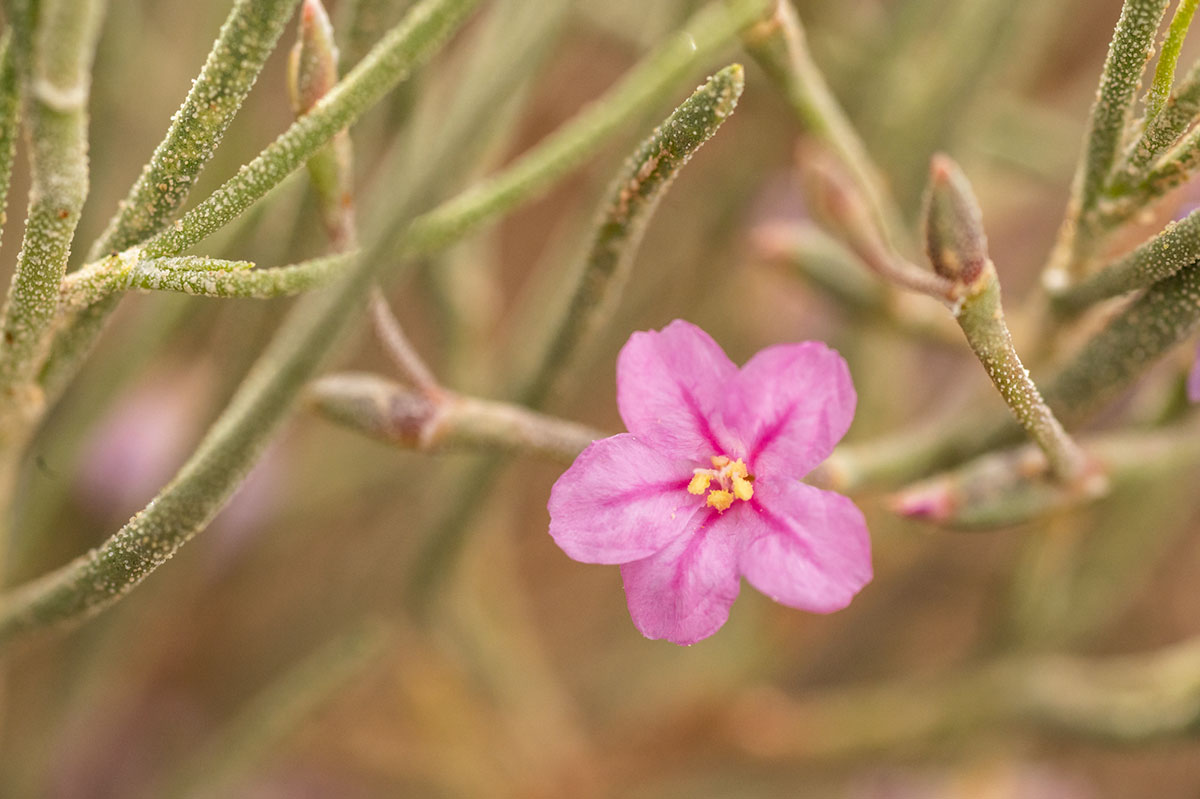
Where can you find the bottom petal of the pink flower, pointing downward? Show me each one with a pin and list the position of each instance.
(685, 593)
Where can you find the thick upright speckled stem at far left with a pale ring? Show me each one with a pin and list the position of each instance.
(58, 133)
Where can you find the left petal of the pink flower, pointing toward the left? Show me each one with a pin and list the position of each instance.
(621, 501)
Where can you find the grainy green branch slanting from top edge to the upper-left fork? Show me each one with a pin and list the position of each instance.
(248, 38)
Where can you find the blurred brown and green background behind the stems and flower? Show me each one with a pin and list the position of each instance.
(279, 656)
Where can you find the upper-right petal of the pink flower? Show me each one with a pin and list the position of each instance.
(790, 405)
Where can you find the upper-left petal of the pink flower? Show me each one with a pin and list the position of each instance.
(669, 385)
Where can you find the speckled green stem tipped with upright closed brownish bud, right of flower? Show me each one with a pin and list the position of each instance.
(958, 249)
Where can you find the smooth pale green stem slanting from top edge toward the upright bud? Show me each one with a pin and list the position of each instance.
(782, 50)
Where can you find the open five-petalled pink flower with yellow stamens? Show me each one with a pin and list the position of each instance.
(705, 488)
